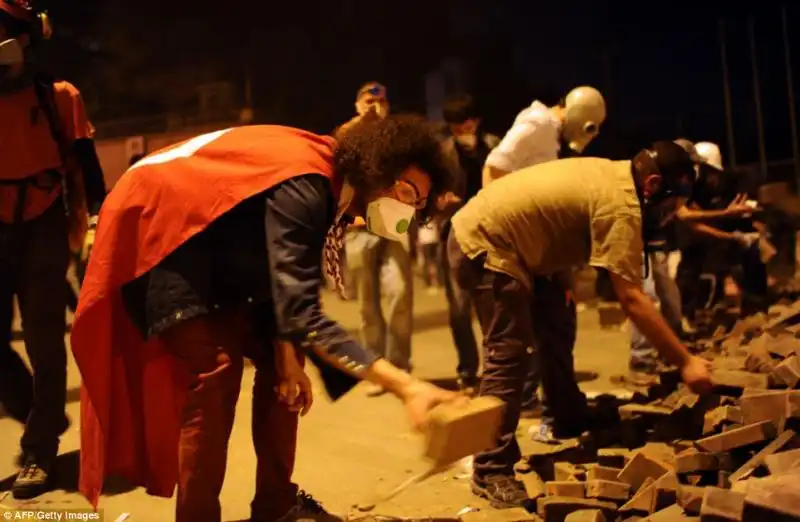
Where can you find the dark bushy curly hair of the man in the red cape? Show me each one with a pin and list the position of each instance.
(374, 152)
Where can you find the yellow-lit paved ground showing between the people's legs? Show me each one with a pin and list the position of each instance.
(347, 452)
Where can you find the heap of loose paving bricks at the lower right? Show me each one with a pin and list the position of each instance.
(732, 456)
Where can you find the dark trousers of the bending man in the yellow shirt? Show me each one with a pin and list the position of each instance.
(516, 322)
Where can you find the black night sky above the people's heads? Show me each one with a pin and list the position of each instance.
(658, 64)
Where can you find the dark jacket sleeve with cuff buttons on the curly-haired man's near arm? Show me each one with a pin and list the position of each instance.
(299, 213)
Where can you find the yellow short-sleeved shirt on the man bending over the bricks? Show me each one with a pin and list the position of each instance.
(554, 216)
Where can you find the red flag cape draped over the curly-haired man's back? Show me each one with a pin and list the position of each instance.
(133, 391)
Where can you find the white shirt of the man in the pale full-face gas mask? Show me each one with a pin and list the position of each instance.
(533, 138)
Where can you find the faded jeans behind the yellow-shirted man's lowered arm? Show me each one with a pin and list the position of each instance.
(661, 287)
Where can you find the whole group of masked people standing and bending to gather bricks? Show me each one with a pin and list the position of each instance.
(236, 232)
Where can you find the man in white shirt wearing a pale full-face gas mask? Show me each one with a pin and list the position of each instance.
(542, 134)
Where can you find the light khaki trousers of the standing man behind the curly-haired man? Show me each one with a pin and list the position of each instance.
(381, 270)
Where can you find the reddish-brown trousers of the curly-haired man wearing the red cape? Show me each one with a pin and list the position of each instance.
(213, 349)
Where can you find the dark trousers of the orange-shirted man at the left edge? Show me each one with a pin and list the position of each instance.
(34, 257)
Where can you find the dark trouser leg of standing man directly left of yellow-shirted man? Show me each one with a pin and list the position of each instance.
(460, 306)
